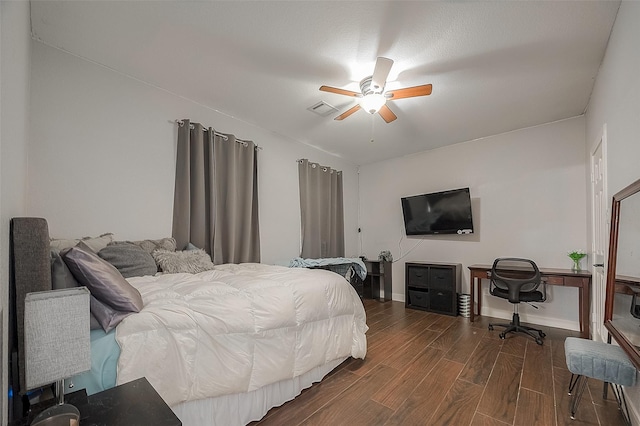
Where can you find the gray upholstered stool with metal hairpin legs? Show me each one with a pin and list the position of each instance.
(597, 360)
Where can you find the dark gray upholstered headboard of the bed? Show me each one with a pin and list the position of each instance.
(29, 270)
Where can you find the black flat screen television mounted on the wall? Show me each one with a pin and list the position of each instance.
(446, 212)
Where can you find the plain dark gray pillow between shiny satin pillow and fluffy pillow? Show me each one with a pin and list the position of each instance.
(129, 259)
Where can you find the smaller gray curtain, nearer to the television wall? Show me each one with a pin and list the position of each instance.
(322, 212)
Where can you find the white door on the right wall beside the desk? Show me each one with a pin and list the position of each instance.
(600, 236)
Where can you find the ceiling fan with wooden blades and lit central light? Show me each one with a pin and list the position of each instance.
(373, 97)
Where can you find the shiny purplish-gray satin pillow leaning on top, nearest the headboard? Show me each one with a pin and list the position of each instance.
(102, 279)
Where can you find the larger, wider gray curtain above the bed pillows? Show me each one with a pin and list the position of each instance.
(215, 203)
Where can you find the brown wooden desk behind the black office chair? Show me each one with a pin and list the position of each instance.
(552, 276)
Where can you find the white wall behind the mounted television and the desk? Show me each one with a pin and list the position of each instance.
(528, 194)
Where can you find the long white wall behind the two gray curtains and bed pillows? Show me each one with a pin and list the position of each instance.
(102, 158)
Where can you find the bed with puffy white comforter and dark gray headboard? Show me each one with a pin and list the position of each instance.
(221, 346)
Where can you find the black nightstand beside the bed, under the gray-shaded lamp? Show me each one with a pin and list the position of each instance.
(132, 404)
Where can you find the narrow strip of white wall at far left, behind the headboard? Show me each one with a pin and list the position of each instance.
(15, 51)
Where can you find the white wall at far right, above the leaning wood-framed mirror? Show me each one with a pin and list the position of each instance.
(616, 102)
